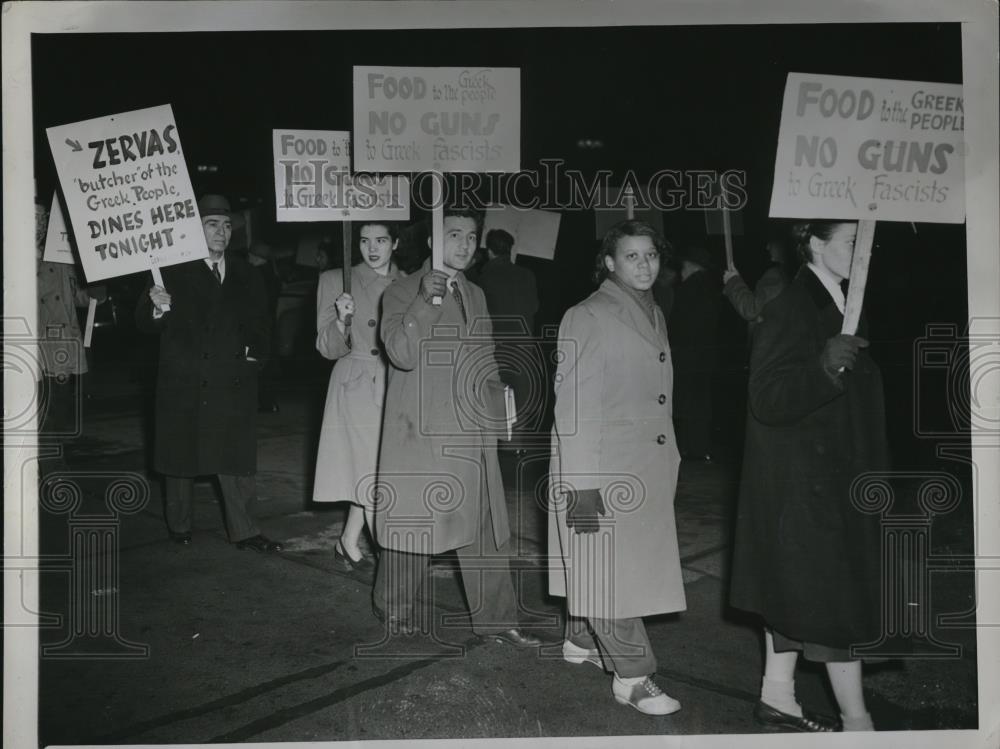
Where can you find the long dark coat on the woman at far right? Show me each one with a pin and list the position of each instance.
(805, 558)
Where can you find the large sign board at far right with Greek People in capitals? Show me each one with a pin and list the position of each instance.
(870, 148)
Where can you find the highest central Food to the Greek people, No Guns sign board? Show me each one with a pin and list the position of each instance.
(437, 119)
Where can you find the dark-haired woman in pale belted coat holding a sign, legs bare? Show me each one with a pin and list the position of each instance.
(347, 330)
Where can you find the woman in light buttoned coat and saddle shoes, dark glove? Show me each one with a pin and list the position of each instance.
(614, 471)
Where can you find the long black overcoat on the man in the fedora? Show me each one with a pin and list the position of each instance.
(206, 391)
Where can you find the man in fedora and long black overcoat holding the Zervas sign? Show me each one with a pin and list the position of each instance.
(214, 331)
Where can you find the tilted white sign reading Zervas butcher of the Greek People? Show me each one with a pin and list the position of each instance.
(128, 192)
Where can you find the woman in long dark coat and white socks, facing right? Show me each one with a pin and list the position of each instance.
(806, 555)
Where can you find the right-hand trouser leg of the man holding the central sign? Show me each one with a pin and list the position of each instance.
(486, 578)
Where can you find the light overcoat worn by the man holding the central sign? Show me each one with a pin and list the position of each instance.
(438, 470)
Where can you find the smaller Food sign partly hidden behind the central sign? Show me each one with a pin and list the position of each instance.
(313, 181)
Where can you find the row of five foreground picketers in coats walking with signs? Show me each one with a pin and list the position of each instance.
(415, 411)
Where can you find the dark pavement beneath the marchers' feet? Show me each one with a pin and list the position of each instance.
(157, 643)
